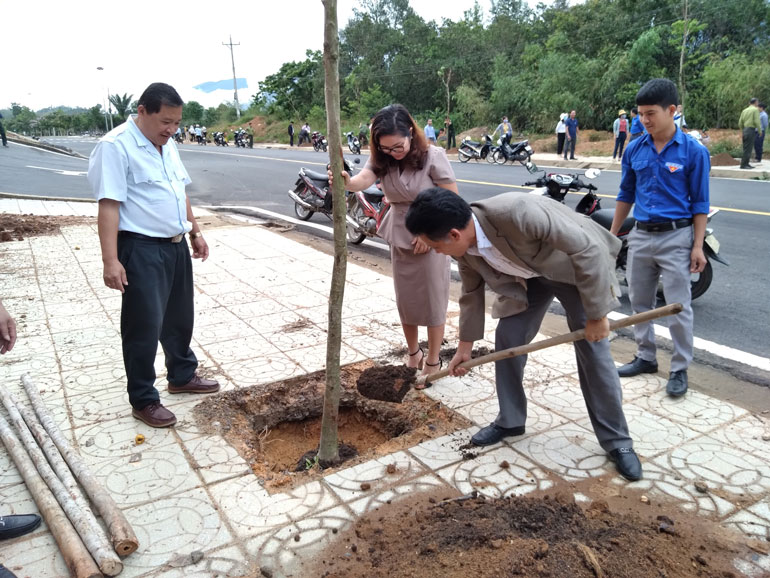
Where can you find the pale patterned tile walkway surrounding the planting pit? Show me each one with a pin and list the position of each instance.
(188, 494)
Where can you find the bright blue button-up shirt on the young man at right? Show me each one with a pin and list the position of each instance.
(666, 186)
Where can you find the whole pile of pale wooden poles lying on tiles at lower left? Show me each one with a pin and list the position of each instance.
(54, 474)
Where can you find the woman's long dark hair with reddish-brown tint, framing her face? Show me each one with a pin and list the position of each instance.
(396, 120)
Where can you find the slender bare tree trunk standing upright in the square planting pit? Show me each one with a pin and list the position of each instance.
(328, 451)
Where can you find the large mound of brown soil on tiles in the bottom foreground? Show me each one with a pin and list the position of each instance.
(548, 536)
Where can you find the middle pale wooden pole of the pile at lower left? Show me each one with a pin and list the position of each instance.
(82, 519)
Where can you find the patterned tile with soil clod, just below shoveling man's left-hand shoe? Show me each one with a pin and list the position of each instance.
(497, 473)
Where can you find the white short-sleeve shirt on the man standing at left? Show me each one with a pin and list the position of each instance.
(126, 167)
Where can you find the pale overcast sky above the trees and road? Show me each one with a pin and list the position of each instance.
(51, 55)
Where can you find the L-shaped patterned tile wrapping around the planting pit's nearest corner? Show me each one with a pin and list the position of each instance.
(251, 510)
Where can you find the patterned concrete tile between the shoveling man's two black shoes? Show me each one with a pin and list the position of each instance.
(569, 451)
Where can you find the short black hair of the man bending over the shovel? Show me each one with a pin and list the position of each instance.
(435, 212)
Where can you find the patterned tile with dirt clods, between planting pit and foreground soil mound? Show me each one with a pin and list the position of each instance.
(347, 483)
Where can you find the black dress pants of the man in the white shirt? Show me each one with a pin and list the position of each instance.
(157, 306)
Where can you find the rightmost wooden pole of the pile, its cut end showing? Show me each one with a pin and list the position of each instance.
(124, 539)
